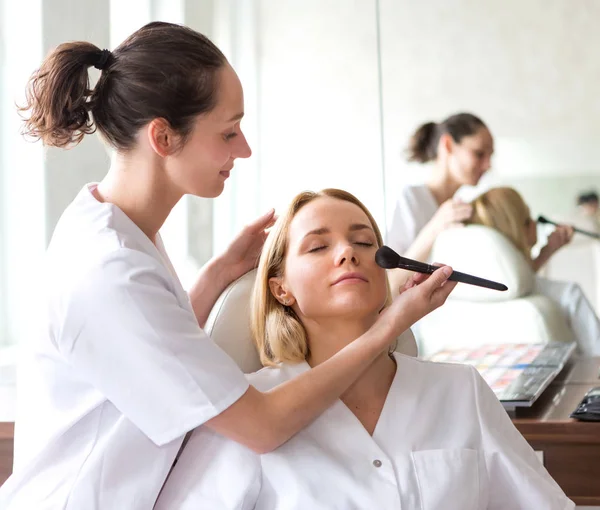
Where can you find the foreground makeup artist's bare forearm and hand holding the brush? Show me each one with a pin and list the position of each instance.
(269, 419)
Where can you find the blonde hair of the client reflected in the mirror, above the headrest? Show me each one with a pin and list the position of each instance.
(504, 210)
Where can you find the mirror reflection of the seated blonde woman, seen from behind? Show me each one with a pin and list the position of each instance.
(505, 210)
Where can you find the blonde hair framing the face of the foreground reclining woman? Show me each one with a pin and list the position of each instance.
(277, 331)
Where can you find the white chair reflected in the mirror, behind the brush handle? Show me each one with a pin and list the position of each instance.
(475, 316)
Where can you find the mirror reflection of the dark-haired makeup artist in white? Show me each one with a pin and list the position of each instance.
(460, 149)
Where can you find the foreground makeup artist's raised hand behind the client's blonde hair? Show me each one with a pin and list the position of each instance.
(244, 251)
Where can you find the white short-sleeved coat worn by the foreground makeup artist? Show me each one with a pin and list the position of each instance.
(121, 372)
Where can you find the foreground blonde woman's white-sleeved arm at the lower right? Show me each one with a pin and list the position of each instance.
(516, 477)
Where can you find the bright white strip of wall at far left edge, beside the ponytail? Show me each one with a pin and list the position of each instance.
(22, 180)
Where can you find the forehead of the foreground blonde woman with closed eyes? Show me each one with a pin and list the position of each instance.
(326, 212)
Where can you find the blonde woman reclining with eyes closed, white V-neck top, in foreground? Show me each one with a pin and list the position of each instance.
(407, 434)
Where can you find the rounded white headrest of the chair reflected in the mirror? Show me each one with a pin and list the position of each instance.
(485, 252)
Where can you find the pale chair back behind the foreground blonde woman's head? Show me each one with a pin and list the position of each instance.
(229, 326)
